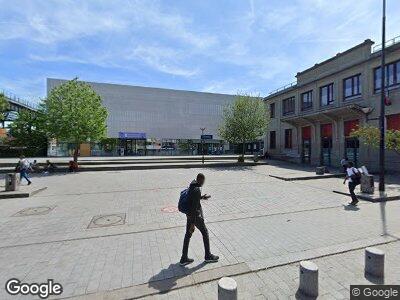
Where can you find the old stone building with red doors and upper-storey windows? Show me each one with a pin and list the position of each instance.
(312, 119)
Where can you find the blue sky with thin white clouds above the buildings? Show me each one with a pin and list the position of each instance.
(213, 46)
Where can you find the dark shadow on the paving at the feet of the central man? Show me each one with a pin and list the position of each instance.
(167, 278)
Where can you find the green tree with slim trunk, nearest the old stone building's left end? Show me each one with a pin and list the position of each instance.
(244, 120)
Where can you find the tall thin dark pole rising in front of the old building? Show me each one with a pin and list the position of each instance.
(382, 115)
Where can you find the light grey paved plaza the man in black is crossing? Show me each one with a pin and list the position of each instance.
(117, 234)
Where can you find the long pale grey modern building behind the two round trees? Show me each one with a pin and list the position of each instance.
(157, 121)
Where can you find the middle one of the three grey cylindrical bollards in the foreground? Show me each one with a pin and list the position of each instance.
(308, 279)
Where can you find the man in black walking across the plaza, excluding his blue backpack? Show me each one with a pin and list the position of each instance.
(195, 218)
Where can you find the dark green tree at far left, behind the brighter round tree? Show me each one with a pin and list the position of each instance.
(28, 131)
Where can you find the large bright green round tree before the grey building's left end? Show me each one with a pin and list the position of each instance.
(74, 113)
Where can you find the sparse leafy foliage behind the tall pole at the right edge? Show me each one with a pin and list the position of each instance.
(370, 136)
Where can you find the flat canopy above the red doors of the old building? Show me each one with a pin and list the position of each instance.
(326, 115)
